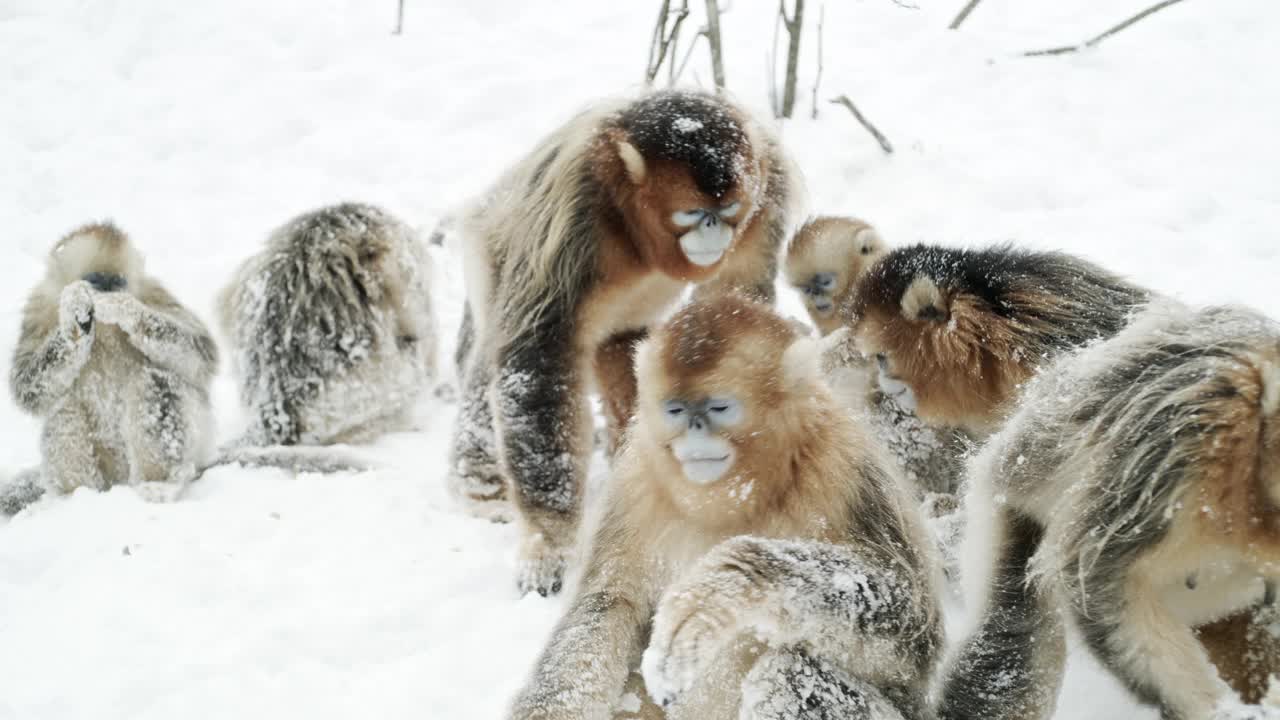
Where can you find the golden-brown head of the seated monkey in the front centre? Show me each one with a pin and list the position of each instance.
(720, 388)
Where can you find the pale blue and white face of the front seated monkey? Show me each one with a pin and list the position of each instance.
(698, 443)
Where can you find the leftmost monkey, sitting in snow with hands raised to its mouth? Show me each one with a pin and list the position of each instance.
(117, 370)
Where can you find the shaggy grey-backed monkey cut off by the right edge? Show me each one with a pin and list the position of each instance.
(1145, 473)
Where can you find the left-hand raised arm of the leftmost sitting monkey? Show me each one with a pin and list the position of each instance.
(51, 354)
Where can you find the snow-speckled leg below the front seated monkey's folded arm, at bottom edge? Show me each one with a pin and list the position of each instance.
(792, 685)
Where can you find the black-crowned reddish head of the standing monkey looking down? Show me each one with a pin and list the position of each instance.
(683, 168)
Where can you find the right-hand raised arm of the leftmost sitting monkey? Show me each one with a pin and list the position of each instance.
(166, 332)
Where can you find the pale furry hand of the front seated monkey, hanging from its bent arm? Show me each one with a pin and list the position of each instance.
(696, 621)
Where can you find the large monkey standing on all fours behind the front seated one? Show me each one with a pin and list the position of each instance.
(569, 259)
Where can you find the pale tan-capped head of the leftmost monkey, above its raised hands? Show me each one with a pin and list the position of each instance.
(99, 254)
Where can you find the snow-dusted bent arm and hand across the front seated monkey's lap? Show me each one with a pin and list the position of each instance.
(833, 598)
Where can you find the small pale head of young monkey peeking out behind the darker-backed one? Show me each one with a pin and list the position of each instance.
(825, 262)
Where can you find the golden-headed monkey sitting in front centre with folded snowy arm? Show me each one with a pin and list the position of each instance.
(755, 539)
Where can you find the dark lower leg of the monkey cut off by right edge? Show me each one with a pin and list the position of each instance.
(1012, 667)
